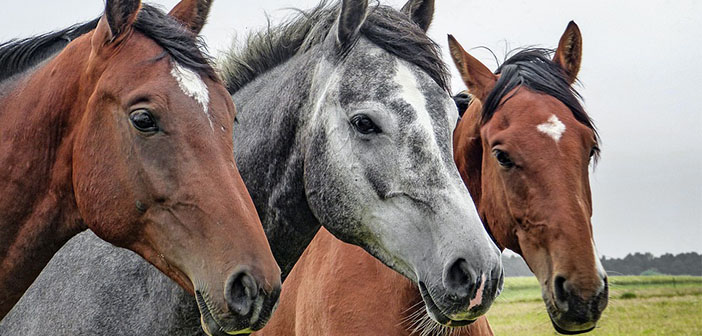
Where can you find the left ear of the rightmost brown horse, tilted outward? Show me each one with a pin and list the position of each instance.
(479, 79)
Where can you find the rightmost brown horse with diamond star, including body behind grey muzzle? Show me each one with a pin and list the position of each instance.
(523, 148)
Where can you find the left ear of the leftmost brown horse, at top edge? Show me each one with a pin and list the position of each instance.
(118, 19)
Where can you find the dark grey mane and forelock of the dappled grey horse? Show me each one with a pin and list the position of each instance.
(384, 26)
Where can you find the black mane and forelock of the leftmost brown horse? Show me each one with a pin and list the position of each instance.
(16, 56)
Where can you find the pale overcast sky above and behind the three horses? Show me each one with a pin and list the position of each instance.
(640, 80)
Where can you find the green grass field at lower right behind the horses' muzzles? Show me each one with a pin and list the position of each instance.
(638, 305)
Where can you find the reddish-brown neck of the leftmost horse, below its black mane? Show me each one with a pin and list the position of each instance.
(37, 204)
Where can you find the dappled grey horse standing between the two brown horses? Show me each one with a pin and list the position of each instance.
(344, 122)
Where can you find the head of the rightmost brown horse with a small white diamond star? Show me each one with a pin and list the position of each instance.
(524, 147)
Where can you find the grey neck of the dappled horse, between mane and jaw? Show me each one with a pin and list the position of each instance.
(270, 152)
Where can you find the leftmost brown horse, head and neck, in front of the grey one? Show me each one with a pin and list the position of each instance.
(121, 126)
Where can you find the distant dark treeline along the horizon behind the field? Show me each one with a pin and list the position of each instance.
(633, 264)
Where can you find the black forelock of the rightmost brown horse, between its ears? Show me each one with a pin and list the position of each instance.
(533, 68)
